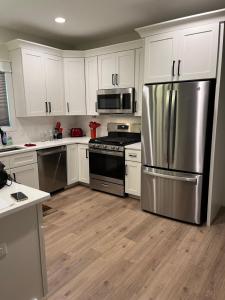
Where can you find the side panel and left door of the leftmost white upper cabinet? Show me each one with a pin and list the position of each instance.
(28, 82)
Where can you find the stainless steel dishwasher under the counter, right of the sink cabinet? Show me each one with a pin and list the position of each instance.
(52, 169)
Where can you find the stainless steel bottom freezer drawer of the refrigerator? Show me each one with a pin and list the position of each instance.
(172, 194)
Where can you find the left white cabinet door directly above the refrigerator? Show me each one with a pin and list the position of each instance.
(160, 53)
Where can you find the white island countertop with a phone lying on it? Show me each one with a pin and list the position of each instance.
(34, 197)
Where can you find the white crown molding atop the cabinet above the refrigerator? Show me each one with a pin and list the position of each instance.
(182, 23)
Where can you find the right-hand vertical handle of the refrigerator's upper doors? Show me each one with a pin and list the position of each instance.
(173, 125)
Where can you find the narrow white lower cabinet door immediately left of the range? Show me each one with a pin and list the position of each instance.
(83, 157)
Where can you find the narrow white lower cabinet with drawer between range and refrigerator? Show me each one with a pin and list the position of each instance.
(133, 173)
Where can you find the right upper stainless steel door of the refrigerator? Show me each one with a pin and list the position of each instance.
(189, 110)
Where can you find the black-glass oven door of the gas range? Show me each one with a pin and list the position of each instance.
(107, 166)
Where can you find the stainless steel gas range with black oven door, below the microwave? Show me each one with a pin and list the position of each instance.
(107, 157)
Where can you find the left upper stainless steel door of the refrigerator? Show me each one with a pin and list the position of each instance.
(155, 124)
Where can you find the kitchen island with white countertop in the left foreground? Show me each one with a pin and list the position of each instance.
(22, 255)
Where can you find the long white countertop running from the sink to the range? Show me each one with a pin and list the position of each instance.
(47, 144)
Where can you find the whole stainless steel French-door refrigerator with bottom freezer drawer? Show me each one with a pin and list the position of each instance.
(174, 130)
